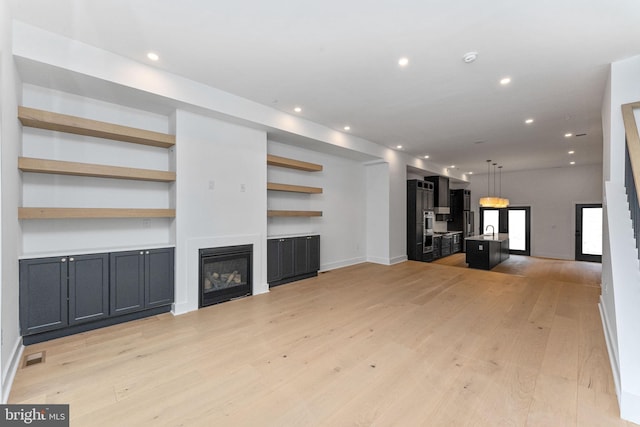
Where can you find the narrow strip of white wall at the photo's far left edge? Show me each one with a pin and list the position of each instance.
(9, 229)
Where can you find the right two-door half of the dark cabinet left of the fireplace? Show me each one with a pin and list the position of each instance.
(140, 280)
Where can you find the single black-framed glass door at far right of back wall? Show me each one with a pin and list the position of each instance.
(589, 232)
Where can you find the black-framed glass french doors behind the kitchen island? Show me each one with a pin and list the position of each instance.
(513, 220)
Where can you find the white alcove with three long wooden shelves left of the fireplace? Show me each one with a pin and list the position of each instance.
(100, 176)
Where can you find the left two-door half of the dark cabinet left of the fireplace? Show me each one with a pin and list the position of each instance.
(61, 291)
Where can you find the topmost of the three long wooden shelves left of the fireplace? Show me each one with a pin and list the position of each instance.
(63, 123)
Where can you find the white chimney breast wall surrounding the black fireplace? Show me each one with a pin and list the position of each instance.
(215, 160)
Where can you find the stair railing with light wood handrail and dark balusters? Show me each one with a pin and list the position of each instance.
(632, 165)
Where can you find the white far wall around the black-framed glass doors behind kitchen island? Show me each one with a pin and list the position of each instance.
(552, 195)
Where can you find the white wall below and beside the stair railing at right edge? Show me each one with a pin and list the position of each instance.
(620, 292)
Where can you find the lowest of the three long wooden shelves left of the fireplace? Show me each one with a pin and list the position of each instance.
(64, 213)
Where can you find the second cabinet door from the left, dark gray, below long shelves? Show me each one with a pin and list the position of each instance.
(88, 287)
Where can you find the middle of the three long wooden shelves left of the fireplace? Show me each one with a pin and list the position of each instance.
(27, 164)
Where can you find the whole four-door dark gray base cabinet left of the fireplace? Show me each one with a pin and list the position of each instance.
(60, 296)
